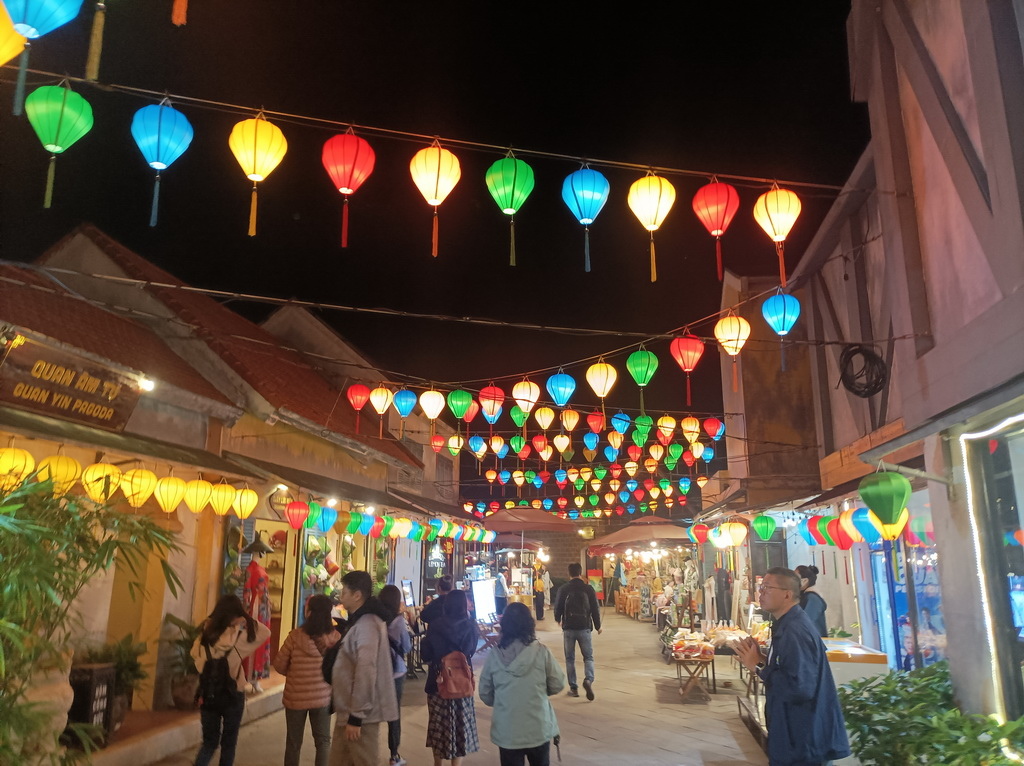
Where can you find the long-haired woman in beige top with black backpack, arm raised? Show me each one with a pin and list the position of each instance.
(229, 636)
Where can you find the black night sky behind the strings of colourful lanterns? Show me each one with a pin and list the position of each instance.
(730, 88)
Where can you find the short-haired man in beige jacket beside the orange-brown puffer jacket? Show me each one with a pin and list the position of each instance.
(362, 686)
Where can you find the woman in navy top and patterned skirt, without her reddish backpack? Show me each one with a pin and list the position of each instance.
(451, 724)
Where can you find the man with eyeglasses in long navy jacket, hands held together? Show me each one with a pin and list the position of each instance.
(805, 724)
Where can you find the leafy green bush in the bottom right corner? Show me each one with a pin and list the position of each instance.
(912, 718)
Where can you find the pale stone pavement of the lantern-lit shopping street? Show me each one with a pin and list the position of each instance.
(637, 717)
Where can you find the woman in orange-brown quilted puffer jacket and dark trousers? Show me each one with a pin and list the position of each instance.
(301, 660)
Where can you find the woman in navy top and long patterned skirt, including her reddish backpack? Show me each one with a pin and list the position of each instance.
(449, 648)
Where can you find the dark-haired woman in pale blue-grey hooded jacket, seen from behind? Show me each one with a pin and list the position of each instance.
(518, 679)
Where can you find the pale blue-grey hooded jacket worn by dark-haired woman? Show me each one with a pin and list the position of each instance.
(518, 682)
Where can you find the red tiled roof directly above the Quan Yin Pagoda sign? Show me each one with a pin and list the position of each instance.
(33, 302)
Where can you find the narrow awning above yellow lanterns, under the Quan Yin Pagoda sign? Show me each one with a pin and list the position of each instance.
(40, 427)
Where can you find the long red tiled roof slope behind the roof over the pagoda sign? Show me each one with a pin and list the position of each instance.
(280, 375)
